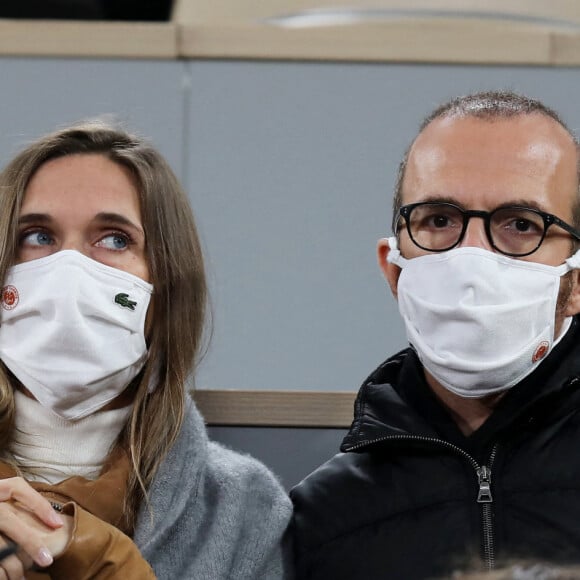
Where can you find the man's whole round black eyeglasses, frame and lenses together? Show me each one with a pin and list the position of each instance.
(513, 230)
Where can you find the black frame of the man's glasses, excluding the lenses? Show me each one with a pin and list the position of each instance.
(548, 219)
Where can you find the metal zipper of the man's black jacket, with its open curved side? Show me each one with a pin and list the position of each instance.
(484, 496)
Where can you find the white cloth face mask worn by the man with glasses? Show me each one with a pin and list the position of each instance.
(479, 321)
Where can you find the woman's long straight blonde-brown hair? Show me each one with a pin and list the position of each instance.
(177, 272)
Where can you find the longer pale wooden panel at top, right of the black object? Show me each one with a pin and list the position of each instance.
(450, 31)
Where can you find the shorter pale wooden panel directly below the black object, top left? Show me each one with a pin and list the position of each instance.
(91, 39)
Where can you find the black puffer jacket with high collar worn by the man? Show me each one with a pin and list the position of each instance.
(412, 498)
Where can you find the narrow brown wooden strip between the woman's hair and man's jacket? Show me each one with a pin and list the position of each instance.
(276, 408)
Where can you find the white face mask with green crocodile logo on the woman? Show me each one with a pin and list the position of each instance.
(72, 330)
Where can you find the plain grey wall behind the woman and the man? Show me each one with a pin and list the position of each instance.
(290, 168)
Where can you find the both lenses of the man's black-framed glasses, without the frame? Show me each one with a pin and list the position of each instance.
(440, 226)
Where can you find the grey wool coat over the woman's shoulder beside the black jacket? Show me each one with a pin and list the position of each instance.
(216, 514)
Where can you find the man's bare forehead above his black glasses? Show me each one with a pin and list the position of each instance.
(488, 160)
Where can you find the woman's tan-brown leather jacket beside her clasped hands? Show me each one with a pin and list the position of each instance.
(100, 546)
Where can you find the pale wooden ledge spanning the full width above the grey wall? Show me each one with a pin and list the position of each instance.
(450, 31)
